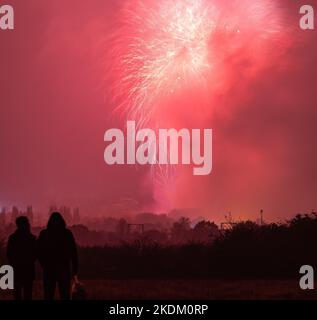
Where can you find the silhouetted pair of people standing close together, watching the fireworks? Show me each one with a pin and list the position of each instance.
(56, 251)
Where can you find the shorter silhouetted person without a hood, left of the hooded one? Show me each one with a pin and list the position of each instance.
(21, 252)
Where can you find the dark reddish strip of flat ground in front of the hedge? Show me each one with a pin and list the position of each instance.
(188, 289)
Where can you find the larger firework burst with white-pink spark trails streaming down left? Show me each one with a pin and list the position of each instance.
(161, 48)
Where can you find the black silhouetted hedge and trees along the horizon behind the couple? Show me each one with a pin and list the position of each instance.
(248, 250)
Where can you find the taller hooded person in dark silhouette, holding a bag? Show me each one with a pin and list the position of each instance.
(57, 253)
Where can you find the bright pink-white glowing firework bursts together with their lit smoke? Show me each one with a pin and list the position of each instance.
(162, 49)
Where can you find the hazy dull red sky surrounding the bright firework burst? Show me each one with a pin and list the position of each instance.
(55, 110)
